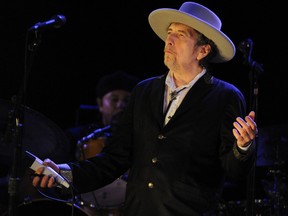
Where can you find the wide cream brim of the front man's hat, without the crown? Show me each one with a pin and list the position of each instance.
(160, 20)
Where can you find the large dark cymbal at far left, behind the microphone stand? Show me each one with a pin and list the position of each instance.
(40, 135)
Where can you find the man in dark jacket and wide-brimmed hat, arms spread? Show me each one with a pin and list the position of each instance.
(182, 133)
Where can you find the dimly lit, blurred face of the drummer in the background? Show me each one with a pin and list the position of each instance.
(113, 103)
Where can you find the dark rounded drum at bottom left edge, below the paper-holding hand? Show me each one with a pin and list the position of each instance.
(47, 207)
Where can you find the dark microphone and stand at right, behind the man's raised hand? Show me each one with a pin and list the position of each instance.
(255, 70)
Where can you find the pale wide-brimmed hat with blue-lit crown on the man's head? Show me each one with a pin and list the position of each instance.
(198, 17)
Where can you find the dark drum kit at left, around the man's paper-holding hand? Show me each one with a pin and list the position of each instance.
(45, 139)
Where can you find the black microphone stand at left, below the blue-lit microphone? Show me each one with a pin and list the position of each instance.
(16, 129)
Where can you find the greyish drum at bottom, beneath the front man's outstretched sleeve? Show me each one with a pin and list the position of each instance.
(109, 199)
